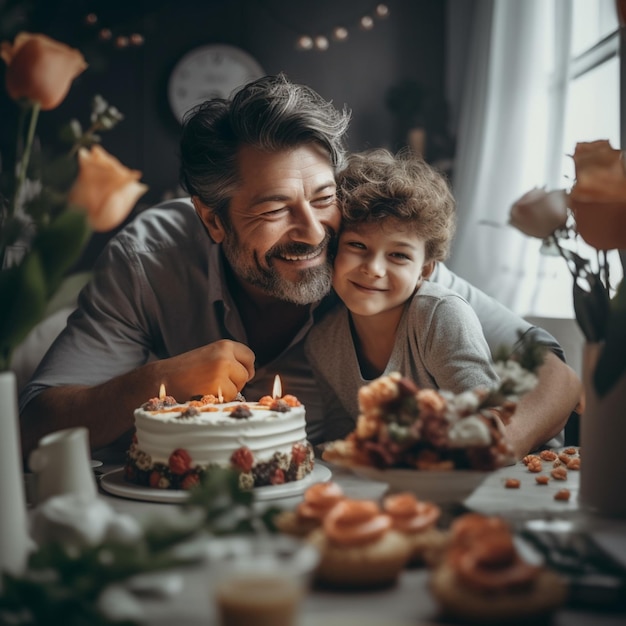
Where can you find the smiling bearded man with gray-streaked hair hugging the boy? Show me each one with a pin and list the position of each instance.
(219, 299)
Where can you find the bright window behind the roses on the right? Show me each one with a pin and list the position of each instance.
(585, 105)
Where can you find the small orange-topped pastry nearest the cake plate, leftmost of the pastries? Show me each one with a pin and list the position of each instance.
(318, 500)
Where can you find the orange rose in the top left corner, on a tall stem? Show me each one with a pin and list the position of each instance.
(40, 69)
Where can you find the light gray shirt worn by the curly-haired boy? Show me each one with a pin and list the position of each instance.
(439, 344)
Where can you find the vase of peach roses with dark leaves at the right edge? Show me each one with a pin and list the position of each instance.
(594, 210)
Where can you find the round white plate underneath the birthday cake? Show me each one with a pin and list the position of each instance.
(114, 483)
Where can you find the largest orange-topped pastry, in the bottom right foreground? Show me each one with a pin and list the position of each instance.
(483, 579)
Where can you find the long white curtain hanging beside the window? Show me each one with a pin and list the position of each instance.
(506, 129)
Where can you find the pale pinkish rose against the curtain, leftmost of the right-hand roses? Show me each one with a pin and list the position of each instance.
(539, 213)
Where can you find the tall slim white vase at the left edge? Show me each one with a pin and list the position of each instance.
(15, 541)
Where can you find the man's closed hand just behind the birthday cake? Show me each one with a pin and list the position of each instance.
(222, 367)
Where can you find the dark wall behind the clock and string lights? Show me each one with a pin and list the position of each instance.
(408, 44)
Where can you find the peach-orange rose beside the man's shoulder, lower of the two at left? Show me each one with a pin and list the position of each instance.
(105, 188)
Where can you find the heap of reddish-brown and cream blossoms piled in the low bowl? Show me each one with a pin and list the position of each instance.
(402, 426)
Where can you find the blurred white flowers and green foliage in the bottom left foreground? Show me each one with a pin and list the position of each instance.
(87, 554)
